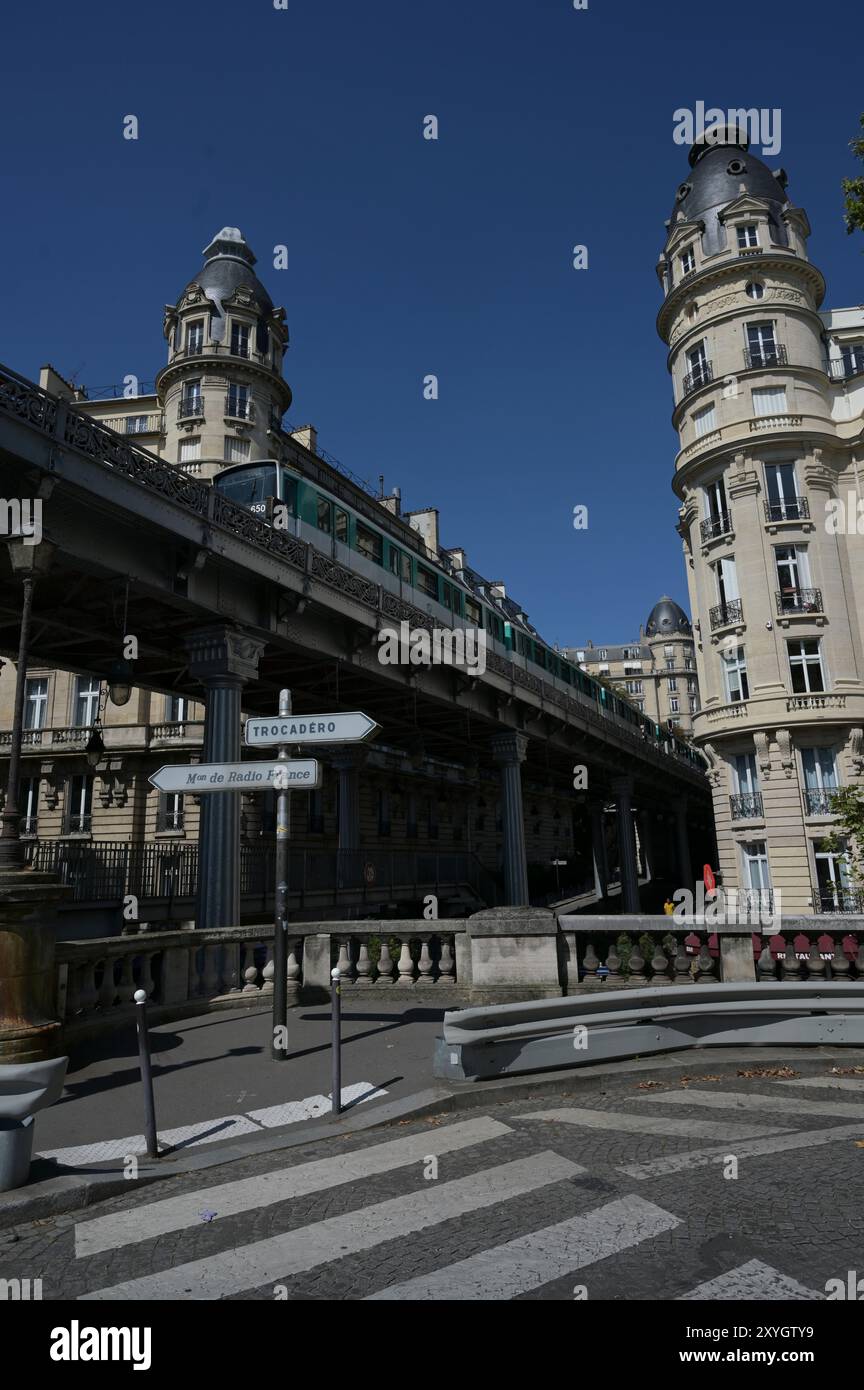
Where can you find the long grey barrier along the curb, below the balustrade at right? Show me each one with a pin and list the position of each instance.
(545, 1035)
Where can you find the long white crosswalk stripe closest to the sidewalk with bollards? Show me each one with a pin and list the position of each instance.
(254, 1193)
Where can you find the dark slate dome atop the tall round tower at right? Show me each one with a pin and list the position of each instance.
(723, 170)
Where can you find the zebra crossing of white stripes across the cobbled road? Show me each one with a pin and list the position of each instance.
(458, 1181)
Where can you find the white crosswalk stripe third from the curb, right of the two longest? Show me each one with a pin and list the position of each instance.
(531, 1261)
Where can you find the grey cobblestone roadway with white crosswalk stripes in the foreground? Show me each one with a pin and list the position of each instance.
(709, 1188)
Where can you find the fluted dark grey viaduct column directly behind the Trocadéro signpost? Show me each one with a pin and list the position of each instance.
(223, 660)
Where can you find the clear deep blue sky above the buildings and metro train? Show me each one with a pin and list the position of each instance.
(408, 256)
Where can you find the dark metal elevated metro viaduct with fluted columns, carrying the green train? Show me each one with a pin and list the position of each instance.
(224, 604)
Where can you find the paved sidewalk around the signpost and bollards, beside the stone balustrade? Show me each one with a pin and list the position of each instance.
(215, 1079)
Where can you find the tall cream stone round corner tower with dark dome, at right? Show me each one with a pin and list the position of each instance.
(769, 394)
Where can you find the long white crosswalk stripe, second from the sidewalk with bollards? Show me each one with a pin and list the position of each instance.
(295, 1252)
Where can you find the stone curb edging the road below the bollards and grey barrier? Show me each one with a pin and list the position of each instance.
(69, 1192)
